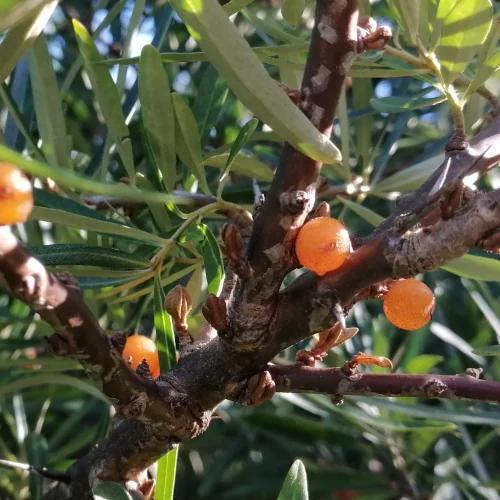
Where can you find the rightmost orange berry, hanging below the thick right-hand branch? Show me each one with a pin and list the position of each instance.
(409, 304)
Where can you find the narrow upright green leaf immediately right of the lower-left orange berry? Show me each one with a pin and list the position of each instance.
(165, 337)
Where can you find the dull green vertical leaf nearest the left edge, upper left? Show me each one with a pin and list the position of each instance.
(49, 112)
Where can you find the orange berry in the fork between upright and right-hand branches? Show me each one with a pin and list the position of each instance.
(322, 245)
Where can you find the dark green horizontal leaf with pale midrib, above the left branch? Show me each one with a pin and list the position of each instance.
(87, 255)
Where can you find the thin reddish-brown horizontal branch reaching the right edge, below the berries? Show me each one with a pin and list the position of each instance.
(334, 381)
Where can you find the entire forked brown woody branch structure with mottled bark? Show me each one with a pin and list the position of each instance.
(233, 363)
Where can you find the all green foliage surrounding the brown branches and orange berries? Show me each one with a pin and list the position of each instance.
(180, 122)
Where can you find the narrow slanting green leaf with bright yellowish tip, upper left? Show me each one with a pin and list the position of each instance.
(107, 95)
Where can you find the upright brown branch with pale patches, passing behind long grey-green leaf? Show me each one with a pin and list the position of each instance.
(335, 42)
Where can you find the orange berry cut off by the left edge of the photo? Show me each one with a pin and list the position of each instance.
(16, 195)
